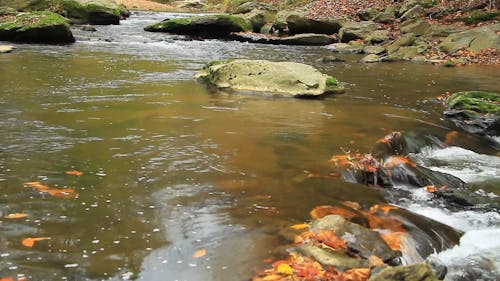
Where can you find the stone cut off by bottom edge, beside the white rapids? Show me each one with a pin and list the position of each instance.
(420, 272)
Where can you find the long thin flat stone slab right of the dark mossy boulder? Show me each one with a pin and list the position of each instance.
(304, 39)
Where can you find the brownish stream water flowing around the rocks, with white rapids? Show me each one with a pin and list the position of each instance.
(170, 168)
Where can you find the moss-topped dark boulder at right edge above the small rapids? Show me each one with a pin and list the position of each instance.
(475, 111)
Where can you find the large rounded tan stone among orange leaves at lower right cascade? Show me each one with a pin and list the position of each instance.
(363, 241)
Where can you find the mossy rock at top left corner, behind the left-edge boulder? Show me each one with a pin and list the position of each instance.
(78, 11)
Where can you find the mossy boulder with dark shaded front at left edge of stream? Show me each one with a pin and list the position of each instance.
(35, 27)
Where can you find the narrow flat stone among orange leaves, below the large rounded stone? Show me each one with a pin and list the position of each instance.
(329, 258)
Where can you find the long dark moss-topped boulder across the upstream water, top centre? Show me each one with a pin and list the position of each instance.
(206, 26)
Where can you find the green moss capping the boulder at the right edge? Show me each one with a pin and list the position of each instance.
(475, 102)
